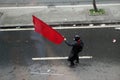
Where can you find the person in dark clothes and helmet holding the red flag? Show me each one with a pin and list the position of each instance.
(77, 47)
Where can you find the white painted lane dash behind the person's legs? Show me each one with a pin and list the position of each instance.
(59, 58)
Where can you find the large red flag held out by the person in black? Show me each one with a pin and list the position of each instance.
(47, 31)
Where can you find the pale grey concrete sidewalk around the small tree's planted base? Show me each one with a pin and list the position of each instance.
(18, 16)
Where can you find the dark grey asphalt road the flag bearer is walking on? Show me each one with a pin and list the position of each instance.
(17, 48)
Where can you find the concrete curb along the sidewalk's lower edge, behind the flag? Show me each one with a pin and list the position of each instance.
(70, 23)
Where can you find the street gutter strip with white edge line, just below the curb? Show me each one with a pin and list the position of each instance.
(31, 27)
